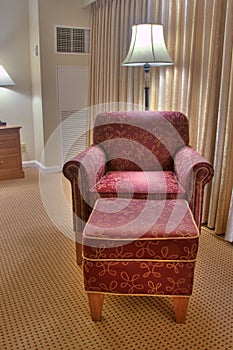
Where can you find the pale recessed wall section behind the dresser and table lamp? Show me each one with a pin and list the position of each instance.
(16, 102)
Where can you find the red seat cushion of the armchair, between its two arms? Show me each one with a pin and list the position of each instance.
(139, 185)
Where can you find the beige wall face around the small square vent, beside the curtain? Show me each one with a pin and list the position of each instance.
(52, 13)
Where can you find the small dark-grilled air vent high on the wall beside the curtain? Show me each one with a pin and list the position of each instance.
(72, 40)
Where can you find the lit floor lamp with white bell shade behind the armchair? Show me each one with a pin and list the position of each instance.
(147, 48)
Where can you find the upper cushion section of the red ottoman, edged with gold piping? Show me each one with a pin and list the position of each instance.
(141, 229)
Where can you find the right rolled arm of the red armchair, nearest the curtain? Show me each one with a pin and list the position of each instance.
(193, 172)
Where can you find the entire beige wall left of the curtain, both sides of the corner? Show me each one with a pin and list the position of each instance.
(32, 102)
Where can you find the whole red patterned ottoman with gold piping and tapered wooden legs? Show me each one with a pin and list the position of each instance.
(140, 247)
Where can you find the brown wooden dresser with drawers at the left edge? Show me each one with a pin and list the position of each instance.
(10, 153)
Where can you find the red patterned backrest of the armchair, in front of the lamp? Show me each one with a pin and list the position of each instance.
(140, 140)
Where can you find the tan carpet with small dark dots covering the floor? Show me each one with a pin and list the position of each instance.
(44, 306)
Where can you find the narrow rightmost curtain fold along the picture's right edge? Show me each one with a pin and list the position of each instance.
(223, 160)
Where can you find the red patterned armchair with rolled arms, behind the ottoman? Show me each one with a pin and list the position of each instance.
(137, 154)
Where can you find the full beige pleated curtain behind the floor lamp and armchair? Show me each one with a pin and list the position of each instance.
(199, 36)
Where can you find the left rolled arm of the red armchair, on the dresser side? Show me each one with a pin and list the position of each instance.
(83, 171)
